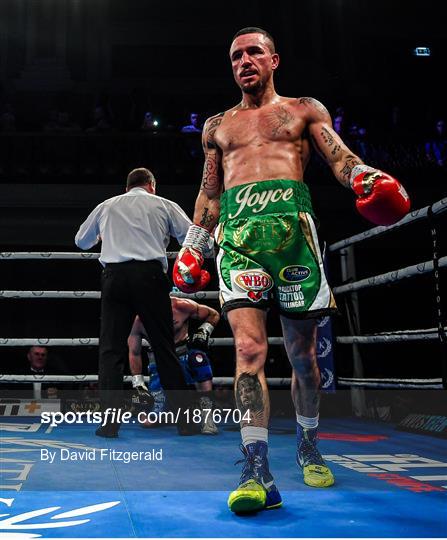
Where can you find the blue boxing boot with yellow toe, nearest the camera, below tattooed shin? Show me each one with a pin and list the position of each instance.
(256, 490)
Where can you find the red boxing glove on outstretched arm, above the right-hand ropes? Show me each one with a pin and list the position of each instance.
(381, 198)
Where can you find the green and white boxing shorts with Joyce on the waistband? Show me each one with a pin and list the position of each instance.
(268, 250)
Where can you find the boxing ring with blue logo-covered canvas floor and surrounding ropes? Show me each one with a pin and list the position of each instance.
(389, 482)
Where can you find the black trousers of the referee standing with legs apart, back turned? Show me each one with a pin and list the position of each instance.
(128, 289)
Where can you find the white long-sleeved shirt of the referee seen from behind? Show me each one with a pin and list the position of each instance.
(134, 226)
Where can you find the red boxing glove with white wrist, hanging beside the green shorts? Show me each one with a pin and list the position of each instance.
(187, 274)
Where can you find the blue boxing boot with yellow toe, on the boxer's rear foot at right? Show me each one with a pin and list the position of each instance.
(315, 471)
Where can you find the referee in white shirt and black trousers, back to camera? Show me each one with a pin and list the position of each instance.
(135, 229)
